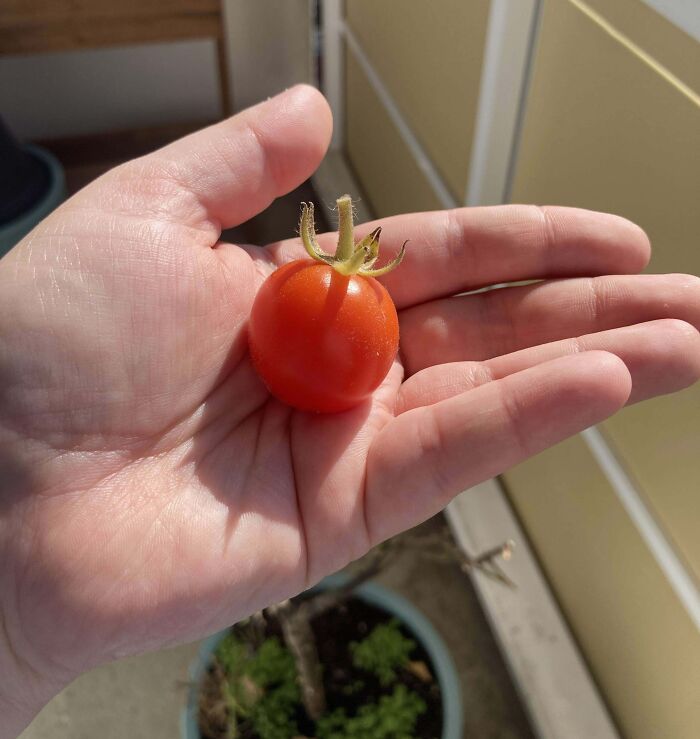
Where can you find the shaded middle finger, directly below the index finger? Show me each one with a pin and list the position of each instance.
(495, 322)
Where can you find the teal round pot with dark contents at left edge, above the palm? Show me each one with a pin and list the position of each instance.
(31, 186)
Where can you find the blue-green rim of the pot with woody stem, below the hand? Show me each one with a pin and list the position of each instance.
(381, 598)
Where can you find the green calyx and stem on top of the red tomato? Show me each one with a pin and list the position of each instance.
(349, 258)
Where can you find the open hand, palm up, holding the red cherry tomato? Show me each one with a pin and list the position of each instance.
(152, 491)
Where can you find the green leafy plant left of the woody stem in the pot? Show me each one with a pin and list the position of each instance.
(261, 686)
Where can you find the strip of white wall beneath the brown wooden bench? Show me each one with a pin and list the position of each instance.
(92, 91)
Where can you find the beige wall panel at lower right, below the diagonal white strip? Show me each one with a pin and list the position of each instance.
(642, 647)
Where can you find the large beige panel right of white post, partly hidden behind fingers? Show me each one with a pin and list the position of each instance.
(606, 130)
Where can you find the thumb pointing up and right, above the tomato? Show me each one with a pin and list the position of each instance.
(234, 169)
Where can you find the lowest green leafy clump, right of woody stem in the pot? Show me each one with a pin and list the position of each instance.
(394, 716)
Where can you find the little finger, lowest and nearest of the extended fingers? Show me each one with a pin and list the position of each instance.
(424, 457)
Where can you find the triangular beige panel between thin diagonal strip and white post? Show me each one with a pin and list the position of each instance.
(429, 57)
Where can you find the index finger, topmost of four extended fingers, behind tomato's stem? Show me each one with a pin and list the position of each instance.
(459, 250)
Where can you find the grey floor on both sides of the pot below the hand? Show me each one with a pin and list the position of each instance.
(141, 698)
